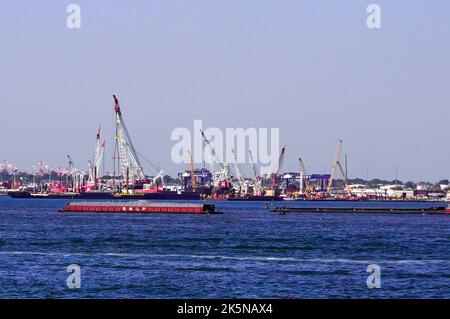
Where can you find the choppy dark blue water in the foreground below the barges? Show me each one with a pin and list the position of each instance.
(247, 252)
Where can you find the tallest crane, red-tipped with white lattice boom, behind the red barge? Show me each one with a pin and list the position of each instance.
(129, 161)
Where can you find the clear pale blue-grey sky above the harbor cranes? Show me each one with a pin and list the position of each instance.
(311, 68)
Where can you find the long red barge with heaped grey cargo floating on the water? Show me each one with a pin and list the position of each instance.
(140, 207)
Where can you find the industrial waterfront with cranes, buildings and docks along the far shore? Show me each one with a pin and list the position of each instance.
(215, 180)
